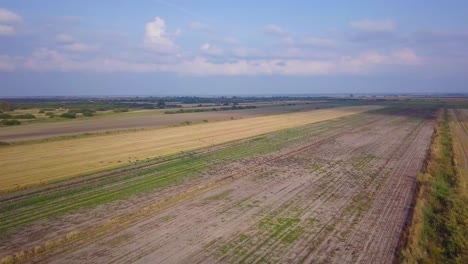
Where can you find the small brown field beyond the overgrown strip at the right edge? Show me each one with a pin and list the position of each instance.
(459, 128)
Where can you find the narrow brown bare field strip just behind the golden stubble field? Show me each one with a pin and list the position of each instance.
(132, 120)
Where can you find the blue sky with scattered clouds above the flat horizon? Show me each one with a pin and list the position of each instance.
(175, 47)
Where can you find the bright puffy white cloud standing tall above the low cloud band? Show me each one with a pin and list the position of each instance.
(156, 37)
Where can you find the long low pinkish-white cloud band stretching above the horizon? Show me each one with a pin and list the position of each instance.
(49, 60)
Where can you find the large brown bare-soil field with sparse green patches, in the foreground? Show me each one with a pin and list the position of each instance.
(341, 195)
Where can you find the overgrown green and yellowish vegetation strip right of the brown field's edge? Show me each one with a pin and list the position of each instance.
(440, 208)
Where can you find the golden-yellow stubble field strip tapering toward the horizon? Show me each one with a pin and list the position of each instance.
(45, 162)
